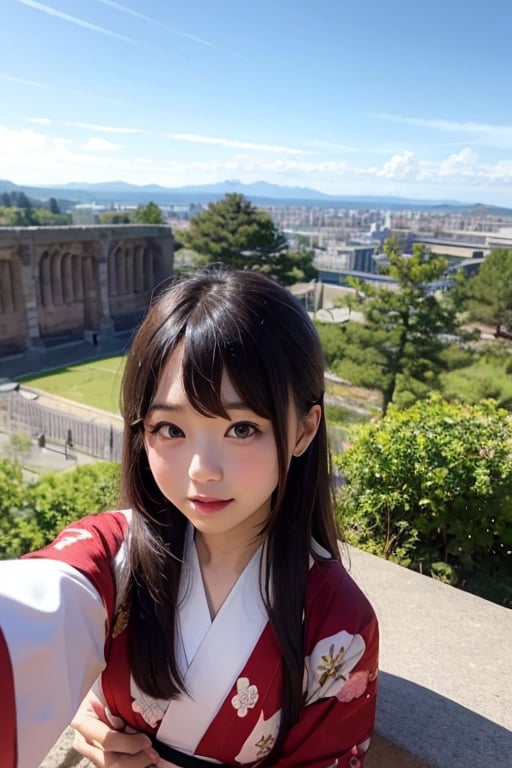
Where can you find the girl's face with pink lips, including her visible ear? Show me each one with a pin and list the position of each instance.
(220, 473)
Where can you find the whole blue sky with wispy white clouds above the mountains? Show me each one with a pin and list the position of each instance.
(362, 97)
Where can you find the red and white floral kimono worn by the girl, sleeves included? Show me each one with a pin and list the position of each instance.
(231, 665)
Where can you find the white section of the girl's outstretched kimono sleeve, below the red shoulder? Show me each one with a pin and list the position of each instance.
(53, 624)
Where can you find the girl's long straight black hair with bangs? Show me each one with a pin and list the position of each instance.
(245, 324)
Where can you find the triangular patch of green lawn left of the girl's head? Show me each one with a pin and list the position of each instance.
(95, 383)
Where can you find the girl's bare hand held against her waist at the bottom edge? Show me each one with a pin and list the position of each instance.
(105, 747)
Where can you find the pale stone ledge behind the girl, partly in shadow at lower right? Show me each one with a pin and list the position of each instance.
(445, 691)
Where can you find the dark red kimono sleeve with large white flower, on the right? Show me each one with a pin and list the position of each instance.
(341, 678)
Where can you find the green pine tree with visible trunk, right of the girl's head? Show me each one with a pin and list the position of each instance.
(398, 348)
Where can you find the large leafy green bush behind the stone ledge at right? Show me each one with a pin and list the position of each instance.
(431, 487)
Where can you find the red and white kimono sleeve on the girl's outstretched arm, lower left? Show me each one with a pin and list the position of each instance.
(55, 607)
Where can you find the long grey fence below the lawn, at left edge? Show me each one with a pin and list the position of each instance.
(68, 430)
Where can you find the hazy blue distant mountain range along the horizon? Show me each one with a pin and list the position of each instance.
(260, 192)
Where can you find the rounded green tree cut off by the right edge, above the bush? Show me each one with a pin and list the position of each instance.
(489, 293)
